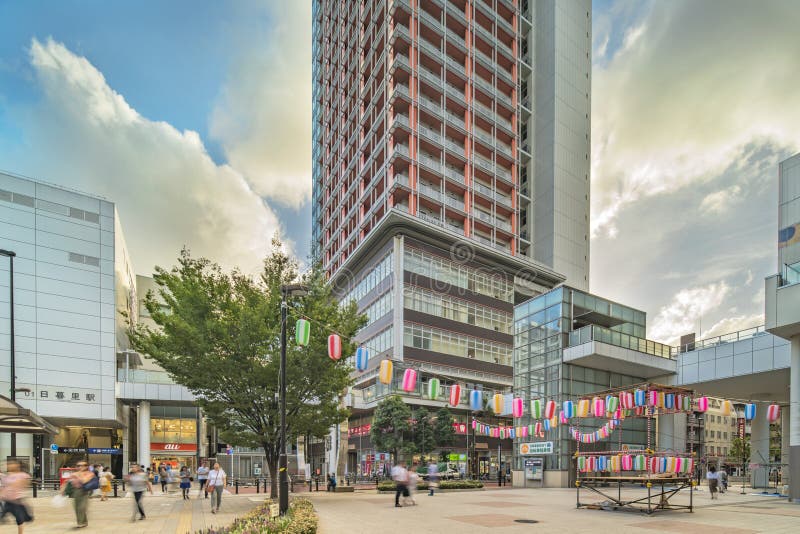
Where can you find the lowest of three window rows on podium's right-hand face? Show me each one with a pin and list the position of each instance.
(436, 340)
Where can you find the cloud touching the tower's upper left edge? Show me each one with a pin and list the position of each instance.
(263, 119)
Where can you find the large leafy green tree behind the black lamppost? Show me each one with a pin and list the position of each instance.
(218, 335)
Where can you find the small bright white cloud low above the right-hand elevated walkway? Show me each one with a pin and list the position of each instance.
(681, 315)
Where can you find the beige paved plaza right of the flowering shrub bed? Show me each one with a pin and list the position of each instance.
(553, 509)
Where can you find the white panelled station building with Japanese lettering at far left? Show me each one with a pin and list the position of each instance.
(73, 278)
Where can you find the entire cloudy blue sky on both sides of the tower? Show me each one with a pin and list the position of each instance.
(194, 117)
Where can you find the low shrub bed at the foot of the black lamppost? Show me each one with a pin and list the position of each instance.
(299, 519)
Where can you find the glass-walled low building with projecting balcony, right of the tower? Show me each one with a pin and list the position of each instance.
(569, 344)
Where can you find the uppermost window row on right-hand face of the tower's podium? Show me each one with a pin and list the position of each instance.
(483, 281)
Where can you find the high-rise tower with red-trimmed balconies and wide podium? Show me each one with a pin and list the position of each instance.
(450, 180)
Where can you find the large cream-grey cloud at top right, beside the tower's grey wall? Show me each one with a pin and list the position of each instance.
(691, 98)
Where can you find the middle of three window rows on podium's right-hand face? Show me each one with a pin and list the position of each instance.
(456, 309)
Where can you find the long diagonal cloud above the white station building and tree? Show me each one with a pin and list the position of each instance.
(168, 191)
